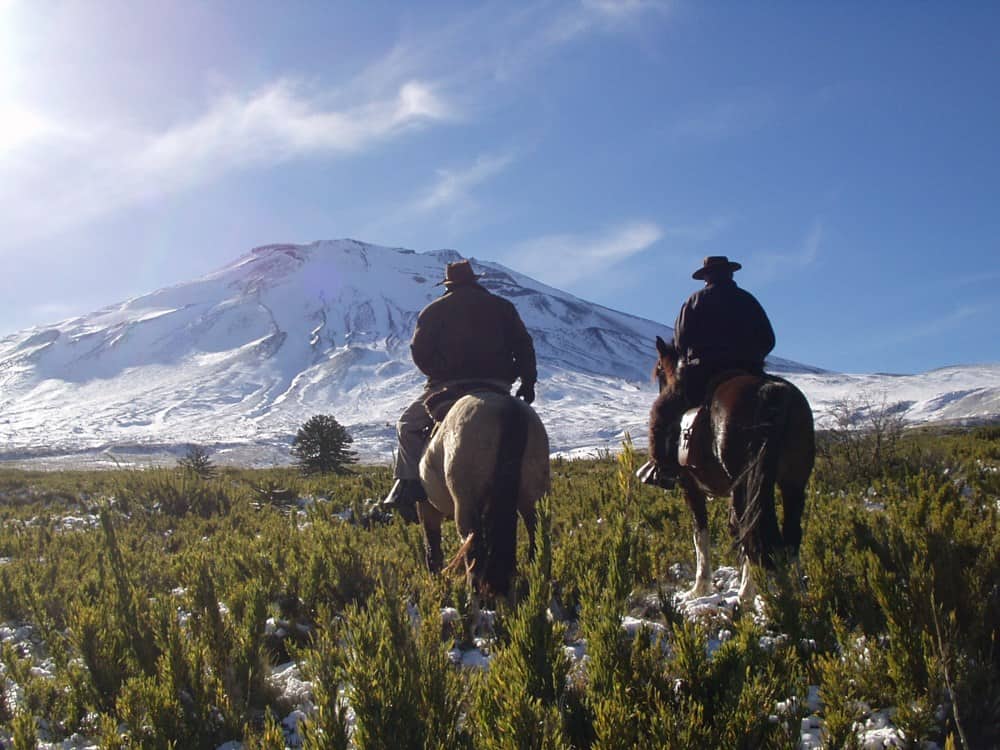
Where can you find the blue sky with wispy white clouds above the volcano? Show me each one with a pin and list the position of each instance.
(846, 153)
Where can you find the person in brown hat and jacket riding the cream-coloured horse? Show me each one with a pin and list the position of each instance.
(468, 336)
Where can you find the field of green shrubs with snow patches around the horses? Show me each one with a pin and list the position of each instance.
(148, 609)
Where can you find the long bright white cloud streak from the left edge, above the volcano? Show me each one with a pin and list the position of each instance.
(85, 172)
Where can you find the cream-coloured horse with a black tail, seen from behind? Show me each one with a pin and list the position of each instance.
(485, 463)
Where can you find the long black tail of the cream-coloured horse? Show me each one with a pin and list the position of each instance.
(493, 551)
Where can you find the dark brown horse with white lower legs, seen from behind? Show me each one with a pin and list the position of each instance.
(755, 432)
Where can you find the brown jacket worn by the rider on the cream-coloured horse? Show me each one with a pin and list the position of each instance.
(470, 334)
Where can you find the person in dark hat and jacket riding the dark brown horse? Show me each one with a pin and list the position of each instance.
(720, 328)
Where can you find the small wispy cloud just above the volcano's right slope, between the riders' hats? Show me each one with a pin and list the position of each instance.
(564, 259)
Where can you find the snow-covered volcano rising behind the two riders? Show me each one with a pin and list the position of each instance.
(240, 358)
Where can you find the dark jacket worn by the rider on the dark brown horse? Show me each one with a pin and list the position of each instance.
(722, 325)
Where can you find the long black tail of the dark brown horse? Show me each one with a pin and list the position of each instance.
(758, 525)
